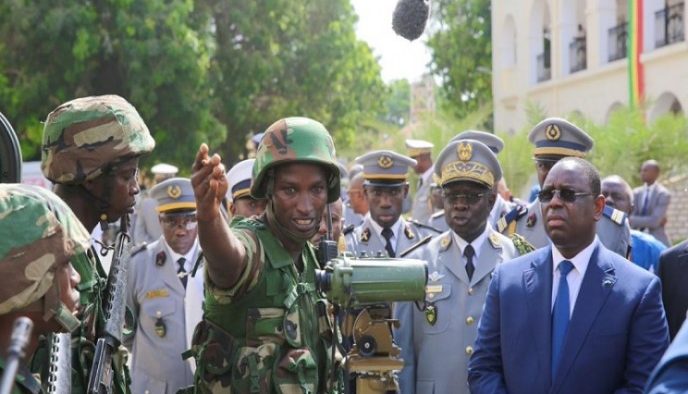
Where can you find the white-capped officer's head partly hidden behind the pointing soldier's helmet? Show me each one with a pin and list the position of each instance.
(240, 203)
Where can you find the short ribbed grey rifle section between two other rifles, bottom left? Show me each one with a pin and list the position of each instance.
(59, 379)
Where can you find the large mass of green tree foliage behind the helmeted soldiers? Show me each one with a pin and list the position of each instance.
(203, 70)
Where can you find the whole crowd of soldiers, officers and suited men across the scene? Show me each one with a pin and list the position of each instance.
(572, 292)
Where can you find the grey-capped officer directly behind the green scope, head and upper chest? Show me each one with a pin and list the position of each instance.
(384, 231)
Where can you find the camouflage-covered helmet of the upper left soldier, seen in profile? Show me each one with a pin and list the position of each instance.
(83, 137)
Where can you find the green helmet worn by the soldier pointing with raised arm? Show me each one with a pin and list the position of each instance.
(295, 139)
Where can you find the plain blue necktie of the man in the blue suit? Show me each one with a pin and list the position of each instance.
(560, 314)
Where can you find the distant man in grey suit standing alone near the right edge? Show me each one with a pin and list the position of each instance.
(651, 203)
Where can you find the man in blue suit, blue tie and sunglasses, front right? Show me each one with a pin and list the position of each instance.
(580, 318)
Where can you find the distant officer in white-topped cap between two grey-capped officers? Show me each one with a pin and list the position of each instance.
(421, 152)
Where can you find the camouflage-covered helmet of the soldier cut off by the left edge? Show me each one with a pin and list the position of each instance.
(38, 231)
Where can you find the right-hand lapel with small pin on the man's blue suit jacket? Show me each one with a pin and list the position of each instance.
(597, 284)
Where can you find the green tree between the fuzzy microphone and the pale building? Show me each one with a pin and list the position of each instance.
(461, 46)
